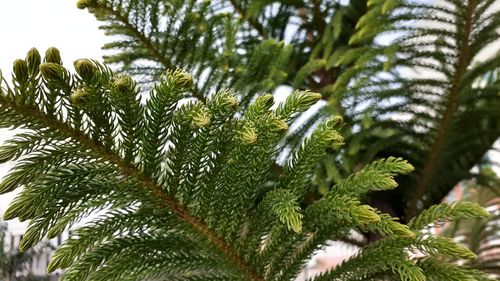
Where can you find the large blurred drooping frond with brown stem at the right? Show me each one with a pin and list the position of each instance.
(421, 93)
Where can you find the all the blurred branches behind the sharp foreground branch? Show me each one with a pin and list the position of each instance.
(415, 96)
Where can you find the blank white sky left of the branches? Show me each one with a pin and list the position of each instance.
(42, 24)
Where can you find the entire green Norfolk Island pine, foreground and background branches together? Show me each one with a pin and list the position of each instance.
(184, 172)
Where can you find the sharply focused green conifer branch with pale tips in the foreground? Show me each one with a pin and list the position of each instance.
(184, 188)
